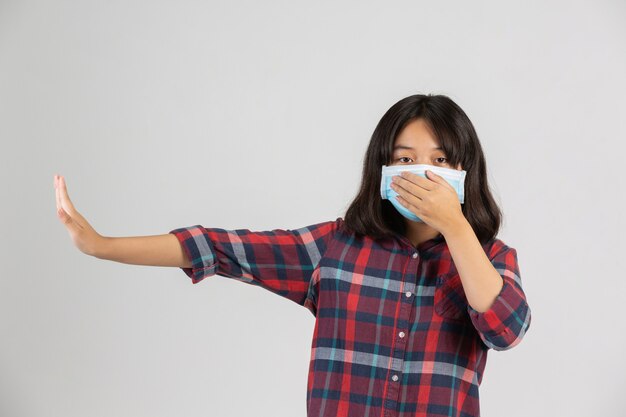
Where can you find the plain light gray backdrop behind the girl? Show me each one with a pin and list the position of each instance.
(257, 115)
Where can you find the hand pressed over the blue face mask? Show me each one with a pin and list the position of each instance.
(432, 199)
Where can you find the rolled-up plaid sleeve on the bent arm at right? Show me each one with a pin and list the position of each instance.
(505, 323)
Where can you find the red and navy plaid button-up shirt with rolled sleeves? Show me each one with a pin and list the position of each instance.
(394, 334)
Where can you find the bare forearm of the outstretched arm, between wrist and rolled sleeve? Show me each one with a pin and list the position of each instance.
(156, 250)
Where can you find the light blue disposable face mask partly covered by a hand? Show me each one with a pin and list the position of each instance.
(453, 177)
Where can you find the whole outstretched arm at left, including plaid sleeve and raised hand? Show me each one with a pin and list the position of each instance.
(282, 261)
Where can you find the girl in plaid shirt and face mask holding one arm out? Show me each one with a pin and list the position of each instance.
(408, 294)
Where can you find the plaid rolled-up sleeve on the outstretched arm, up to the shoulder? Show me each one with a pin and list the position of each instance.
(279, 260)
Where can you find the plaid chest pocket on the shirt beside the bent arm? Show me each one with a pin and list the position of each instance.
(450, 301)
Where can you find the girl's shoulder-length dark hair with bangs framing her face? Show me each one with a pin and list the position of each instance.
(369, 214)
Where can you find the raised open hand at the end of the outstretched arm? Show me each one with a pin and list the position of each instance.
(85, 238)
